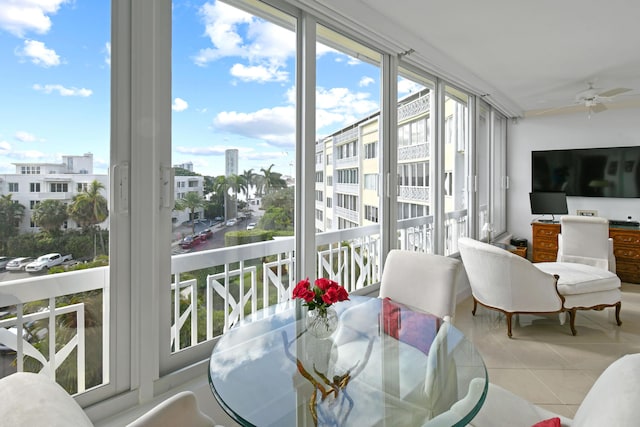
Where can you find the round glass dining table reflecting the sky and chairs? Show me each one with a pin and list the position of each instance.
(386, 364)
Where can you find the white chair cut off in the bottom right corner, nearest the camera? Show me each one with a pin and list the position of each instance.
(611, 401)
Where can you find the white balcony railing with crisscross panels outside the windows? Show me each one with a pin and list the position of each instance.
(63, 319)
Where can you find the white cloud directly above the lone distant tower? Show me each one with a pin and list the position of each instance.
(273, 125)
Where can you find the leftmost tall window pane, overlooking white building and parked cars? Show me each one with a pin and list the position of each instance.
(54, 191)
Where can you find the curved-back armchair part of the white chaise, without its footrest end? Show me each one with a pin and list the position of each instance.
(503, 281)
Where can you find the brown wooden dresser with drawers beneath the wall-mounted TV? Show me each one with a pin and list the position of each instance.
(626, 248)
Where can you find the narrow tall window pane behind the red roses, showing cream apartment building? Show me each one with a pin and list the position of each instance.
(348, 159)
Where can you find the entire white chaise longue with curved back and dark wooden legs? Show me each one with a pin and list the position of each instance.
(509, 283)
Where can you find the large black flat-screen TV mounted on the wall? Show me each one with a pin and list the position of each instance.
(588, 172)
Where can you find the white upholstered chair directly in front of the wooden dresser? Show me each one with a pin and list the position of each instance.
(585, 240)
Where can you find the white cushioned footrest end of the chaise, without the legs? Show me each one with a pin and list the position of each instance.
(579, 278)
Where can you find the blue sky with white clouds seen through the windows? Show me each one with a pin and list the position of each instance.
(233, 85)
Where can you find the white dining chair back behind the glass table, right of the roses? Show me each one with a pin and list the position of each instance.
(424, 281)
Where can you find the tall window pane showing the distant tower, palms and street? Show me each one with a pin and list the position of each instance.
(233, 134)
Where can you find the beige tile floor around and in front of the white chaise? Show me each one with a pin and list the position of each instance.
(543, 362)
